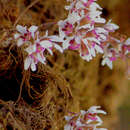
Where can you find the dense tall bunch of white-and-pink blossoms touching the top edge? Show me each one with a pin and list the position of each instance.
(78, 29)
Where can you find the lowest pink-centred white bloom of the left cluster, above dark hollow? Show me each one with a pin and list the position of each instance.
(35, 54)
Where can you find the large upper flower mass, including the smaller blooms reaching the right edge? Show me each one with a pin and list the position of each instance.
(85, 31)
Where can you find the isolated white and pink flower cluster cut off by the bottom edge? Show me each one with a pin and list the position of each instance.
(85, 120)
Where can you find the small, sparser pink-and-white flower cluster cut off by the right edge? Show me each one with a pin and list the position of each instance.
(115, 48)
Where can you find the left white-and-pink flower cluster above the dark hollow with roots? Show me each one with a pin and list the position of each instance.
(35, 45)
